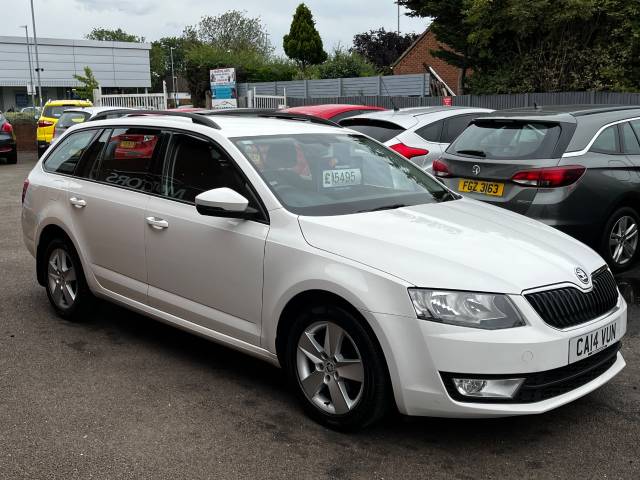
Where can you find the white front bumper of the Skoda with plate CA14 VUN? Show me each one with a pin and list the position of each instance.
(419, 352)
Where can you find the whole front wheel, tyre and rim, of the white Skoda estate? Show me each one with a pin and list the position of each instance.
(337, 368)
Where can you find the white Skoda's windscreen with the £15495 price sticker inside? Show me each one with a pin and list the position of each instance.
(337, 174)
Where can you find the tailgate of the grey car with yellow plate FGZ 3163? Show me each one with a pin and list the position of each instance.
(485, 157)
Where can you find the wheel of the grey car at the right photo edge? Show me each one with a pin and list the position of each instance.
(619, 244)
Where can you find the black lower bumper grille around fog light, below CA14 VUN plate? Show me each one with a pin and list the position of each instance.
(540, 386)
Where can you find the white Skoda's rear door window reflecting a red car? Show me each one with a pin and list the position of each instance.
(128, 156)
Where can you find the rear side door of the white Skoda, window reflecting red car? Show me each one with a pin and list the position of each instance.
(109, 195)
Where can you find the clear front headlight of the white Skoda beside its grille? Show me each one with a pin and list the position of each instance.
(468, 309)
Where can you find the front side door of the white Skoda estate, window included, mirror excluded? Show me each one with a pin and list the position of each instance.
(206, 270)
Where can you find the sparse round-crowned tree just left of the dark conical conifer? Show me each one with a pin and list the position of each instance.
(233, 30)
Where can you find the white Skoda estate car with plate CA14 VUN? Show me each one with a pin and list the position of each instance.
(320, 250)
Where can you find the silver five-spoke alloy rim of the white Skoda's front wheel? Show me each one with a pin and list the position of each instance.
(329, 367)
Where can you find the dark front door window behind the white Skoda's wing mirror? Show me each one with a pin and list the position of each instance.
(195, 166)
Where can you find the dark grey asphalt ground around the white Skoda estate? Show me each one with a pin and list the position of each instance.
(123, 396)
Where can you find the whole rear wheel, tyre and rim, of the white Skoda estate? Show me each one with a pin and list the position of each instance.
(65, 281)
